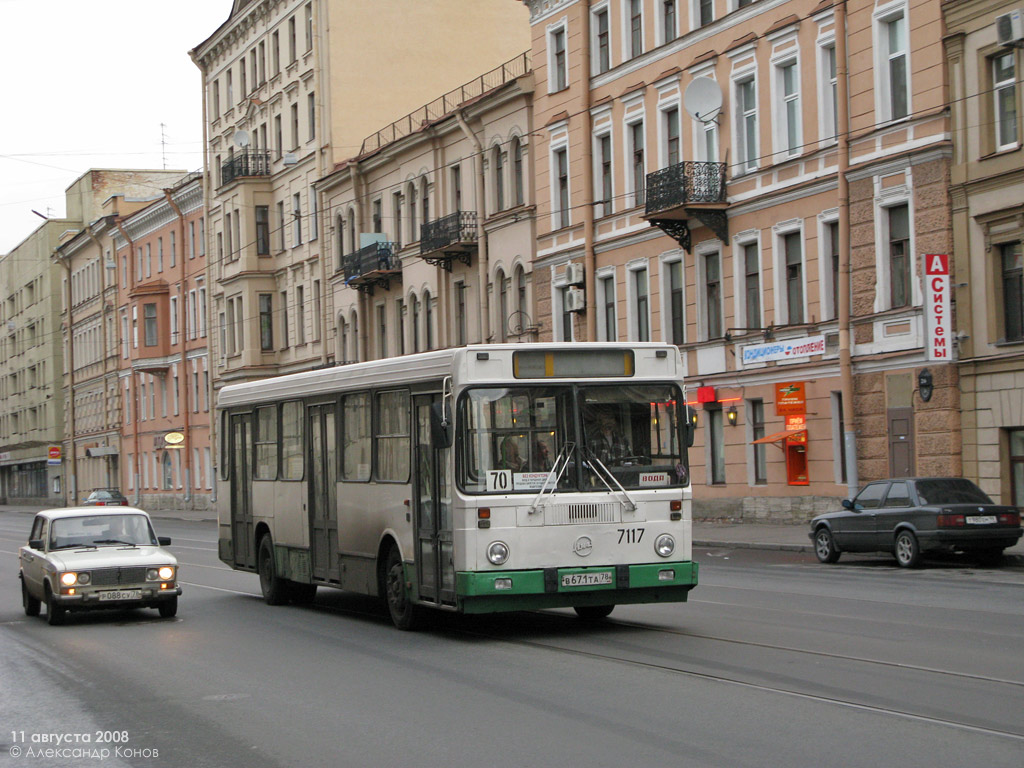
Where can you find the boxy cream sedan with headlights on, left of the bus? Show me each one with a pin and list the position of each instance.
(87, 559)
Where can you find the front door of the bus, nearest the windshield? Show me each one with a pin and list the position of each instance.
(433, 492)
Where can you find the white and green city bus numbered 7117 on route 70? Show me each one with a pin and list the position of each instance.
(479, 480)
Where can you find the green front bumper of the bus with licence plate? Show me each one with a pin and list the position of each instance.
(488, 592)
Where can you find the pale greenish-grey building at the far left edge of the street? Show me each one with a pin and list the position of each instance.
(32, 415)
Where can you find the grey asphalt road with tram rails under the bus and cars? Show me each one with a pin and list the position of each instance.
(777, 661)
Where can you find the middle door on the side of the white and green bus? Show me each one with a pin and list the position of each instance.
(323, 464)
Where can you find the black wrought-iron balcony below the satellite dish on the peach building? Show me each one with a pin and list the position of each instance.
(692, 190)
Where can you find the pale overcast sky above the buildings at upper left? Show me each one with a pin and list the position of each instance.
(88, 86)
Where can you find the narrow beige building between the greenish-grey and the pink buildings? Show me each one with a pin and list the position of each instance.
(90, 327)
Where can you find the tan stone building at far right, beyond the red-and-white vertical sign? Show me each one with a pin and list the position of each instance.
(989, 230)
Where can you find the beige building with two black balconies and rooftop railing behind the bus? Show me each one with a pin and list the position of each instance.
(433, 226)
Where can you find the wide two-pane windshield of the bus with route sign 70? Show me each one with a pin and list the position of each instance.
(510, 438)
